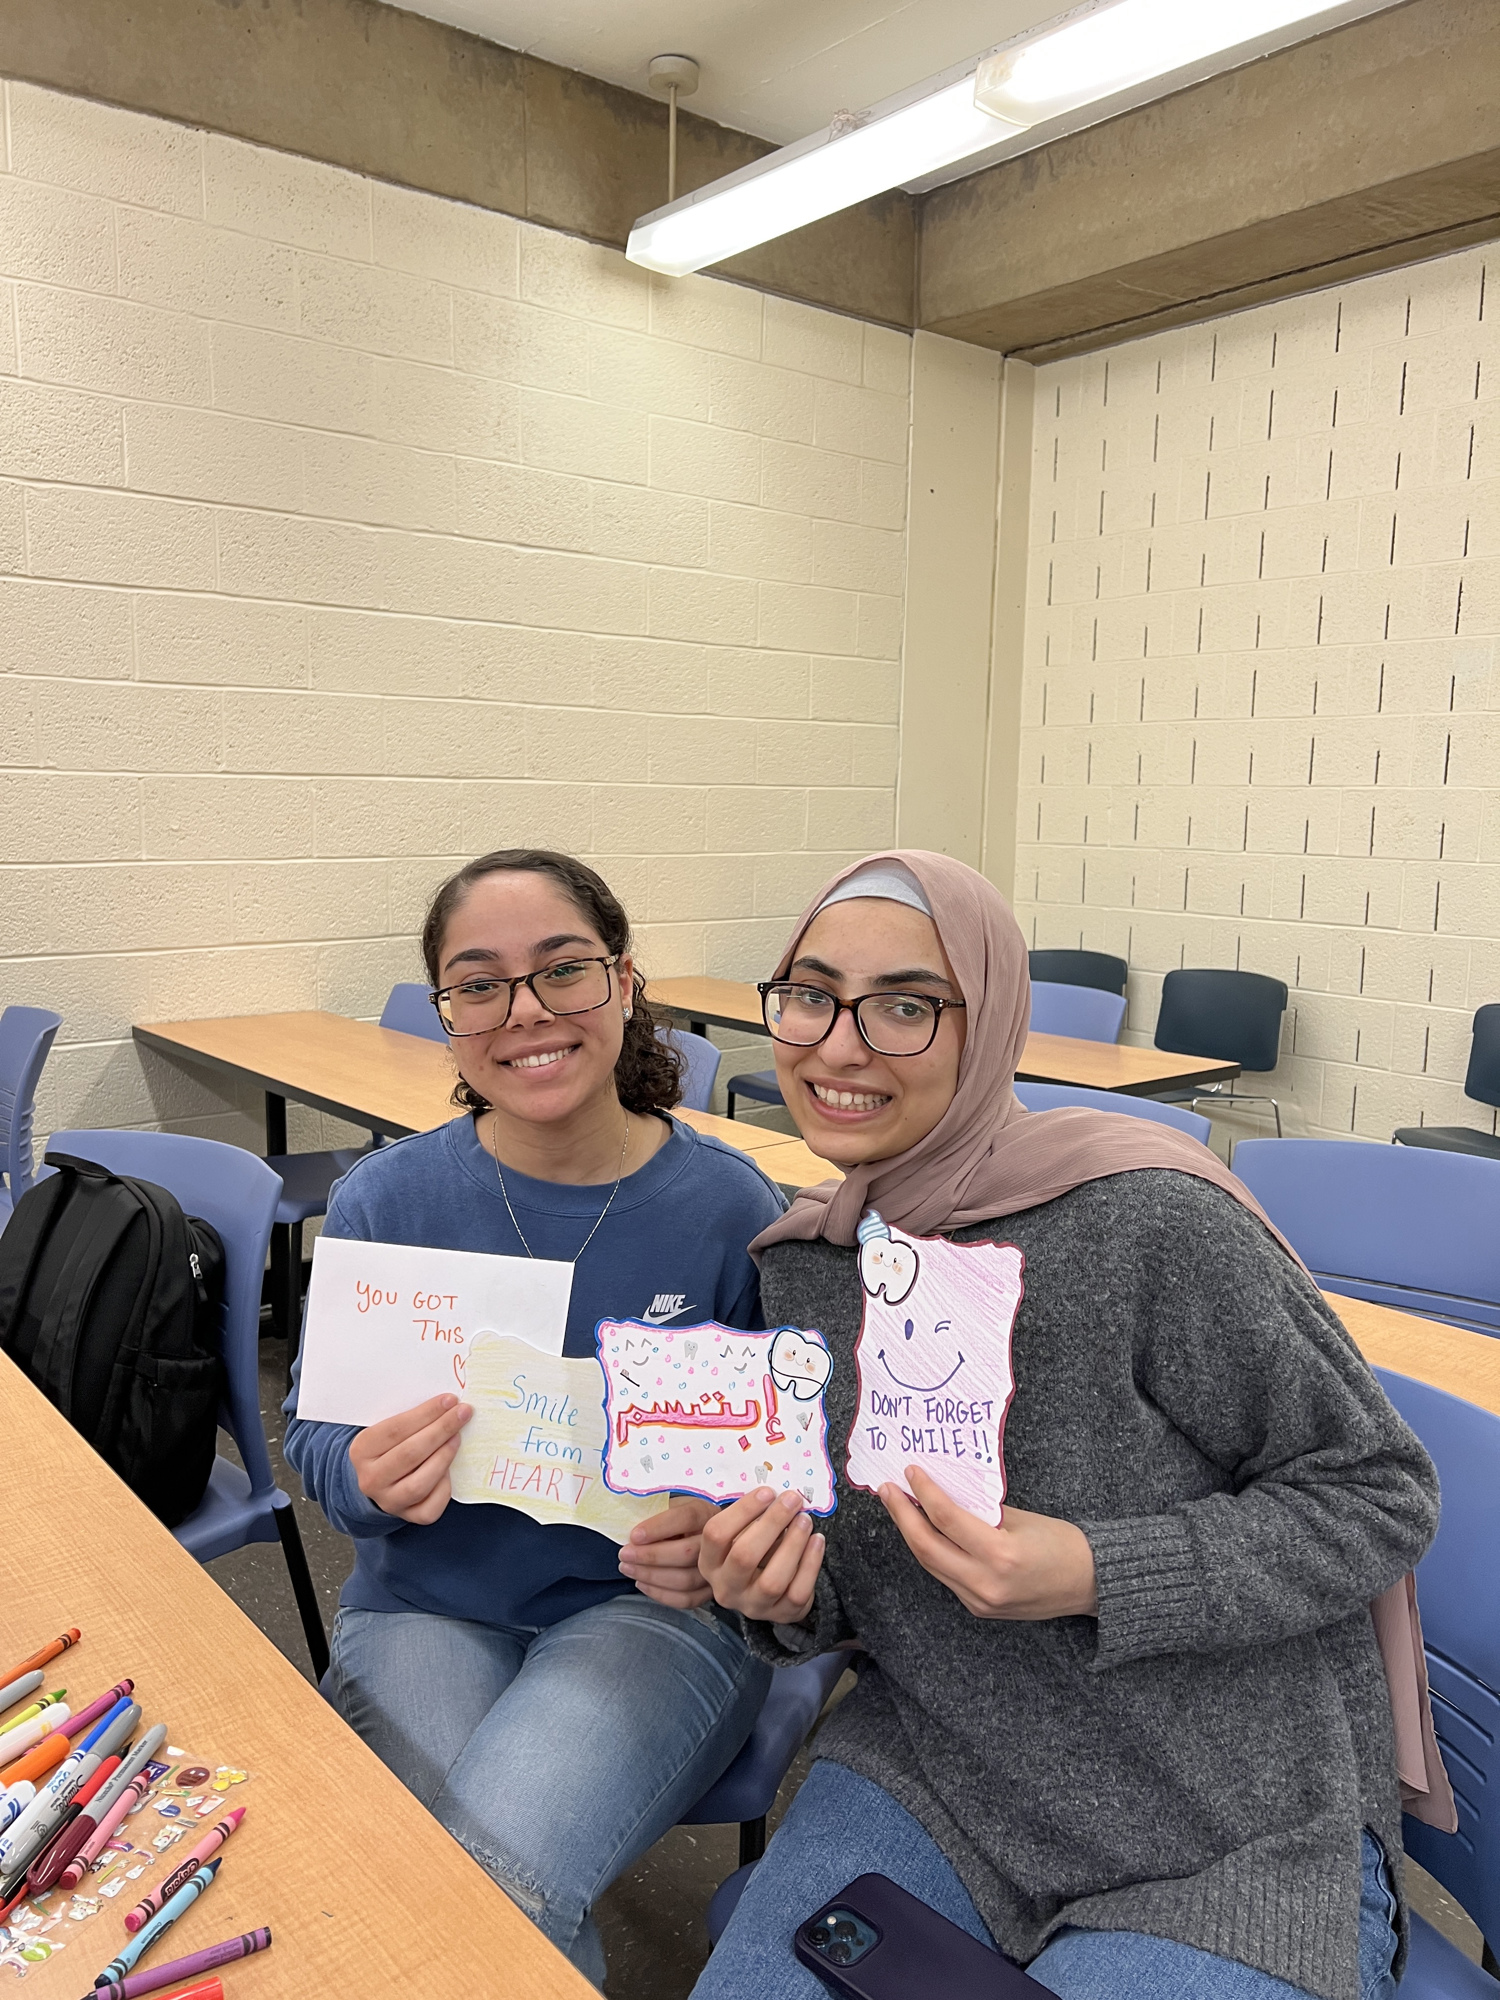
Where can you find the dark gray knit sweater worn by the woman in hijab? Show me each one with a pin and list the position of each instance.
(1199, 1761)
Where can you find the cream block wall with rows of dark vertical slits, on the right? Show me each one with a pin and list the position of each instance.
(1263, 677)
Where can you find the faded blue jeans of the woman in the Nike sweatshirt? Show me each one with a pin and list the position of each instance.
(555, 1757)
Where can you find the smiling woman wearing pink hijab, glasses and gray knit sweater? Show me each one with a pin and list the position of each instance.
(1137, 1735)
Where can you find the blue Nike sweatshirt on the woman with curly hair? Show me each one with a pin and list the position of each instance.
(673, 1247)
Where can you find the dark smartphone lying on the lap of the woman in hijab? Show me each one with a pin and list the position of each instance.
(877, 1943)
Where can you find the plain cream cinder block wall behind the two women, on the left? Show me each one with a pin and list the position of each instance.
(347, 533)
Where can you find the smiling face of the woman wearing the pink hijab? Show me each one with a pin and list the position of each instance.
(849, 1103)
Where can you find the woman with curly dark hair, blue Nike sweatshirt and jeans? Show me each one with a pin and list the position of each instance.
(553, 1699)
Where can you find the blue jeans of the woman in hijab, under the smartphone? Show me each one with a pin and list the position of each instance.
(841, 1827)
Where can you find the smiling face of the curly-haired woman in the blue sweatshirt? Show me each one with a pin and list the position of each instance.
(539, 1067)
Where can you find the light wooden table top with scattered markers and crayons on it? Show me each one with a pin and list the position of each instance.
(361, 1887)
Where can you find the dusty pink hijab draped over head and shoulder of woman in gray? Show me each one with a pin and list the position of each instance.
(991, 1157)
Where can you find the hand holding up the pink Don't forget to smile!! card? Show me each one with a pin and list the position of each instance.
(1029, 1567)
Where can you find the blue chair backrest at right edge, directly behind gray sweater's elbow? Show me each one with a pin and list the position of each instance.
(1461, 1627)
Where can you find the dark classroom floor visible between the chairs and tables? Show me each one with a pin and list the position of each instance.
(653, 1919)
